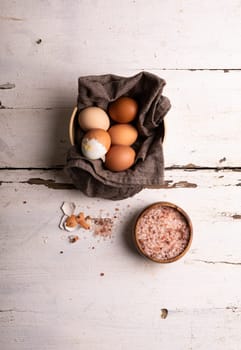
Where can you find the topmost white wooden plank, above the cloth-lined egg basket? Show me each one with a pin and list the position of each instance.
(97, 37)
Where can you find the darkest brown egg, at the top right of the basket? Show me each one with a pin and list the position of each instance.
(123, 110)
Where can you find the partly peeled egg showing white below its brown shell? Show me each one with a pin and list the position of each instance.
(95, 144)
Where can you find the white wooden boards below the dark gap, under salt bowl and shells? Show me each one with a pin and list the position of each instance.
(110, 296)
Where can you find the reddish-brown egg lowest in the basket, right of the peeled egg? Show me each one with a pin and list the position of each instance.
(119, 158)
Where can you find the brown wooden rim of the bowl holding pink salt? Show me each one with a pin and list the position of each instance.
(182, 212)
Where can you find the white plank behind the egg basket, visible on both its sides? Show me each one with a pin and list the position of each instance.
(202, 128)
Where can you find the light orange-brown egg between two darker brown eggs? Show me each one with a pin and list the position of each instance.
(123, 134)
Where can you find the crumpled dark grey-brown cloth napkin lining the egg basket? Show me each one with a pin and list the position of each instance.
(90, 176)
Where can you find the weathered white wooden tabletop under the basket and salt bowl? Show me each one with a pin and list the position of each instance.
(100, 294)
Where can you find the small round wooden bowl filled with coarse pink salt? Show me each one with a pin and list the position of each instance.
(163, 232)
